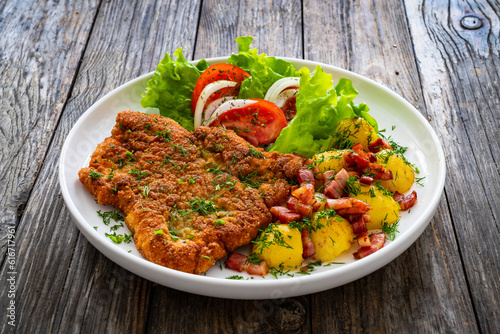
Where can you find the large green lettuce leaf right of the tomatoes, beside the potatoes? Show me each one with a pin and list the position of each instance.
(319, 109)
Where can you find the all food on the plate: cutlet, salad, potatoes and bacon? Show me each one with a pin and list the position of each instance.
(306, 171)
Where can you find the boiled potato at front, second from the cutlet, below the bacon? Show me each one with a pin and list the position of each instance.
(333, 236)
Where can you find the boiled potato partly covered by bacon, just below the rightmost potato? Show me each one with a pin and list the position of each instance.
(384, 208)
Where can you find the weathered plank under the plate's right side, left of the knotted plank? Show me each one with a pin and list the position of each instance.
(413, 292)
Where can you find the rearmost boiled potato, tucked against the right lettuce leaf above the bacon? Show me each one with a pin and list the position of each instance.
(358, 130)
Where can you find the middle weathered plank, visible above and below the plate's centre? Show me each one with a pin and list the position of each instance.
(271, 24)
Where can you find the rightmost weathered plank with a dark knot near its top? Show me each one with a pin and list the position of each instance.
(460, 73)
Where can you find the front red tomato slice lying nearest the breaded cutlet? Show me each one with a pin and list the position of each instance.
(259, 123)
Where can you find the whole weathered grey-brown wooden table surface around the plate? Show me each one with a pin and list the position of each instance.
(58, 57)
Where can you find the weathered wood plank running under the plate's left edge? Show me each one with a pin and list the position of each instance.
(64, 284)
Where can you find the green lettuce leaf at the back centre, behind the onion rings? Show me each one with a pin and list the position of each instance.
(264, 70)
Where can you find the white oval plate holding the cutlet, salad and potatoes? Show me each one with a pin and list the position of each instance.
(411, 130)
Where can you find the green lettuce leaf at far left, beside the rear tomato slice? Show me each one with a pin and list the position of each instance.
(171, 87)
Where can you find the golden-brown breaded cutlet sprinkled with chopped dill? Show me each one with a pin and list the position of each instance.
(188, 198)
